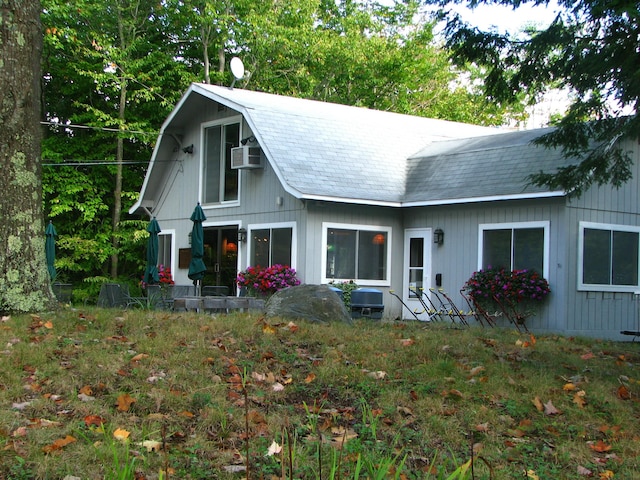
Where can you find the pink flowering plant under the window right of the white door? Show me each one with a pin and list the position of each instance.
(517, 286)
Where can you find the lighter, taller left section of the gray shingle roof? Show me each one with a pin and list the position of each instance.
(331, 151)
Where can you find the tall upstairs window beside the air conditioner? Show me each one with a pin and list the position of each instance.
(220, 181)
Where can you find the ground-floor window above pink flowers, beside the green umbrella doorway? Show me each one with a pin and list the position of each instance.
(271, 245)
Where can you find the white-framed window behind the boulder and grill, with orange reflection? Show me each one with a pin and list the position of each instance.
(359, 253)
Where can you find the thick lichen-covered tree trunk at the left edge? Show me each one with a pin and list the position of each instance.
(24, 279)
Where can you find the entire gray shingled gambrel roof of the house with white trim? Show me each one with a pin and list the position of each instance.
(333, 152)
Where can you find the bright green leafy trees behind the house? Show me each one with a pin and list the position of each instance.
(113, 71)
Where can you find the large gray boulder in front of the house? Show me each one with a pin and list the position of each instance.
(316, 303)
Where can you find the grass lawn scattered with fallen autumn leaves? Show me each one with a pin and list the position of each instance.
(96, 394)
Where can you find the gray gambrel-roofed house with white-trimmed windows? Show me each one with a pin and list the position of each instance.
(347, 193)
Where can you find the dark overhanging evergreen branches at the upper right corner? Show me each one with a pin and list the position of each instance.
(590, 49)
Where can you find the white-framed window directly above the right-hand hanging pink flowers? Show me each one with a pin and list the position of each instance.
(515, 246)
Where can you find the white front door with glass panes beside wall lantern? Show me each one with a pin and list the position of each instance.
(417, 272)
